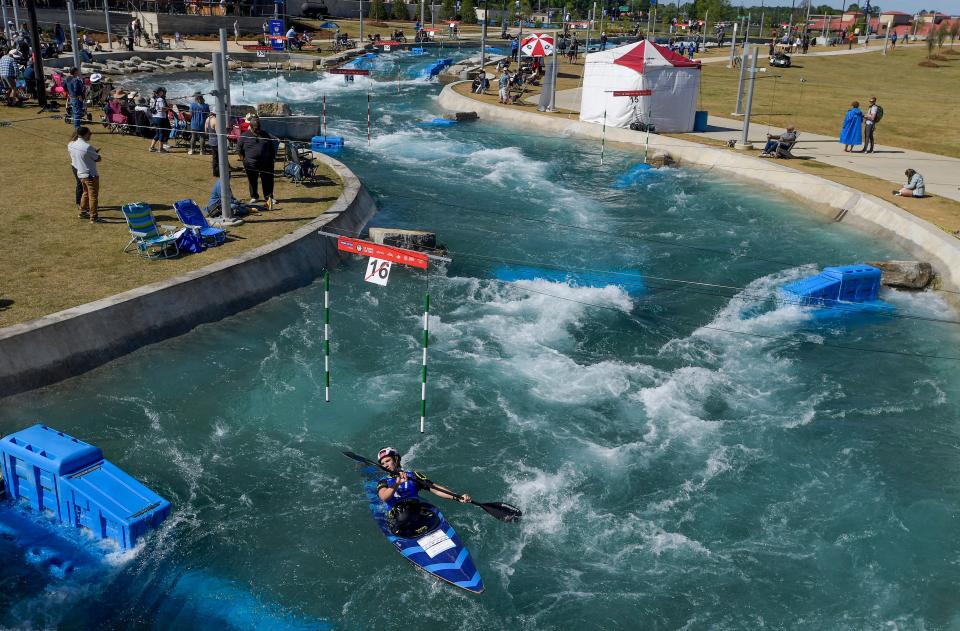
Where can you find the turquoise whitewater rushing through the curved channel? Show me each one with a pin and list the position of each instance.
(692, 456)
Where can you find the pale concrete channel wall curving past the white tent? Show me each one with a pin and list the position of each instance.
(842, 203)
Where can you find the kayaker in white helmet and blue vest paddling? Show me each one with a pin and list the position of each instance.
(401, 493)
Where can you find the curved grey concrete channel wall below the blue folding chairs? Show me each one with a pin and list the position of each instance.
(68, 343)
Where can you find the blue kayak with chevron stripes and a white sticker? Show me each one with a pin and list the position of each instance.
(437, 551)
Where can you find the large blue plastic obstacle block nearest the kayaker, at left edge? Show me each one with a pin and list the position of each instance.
(68, 479)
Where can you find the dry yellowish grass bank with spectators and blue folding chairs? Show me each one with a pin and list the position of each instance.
(53, 260)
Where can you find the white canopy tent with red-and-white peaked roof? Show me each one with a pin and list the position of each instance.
(672, 80)
